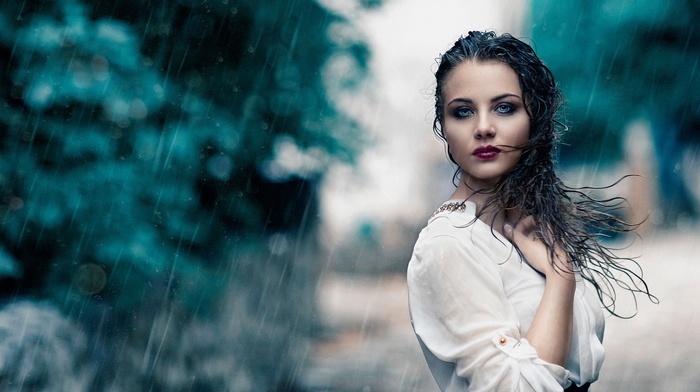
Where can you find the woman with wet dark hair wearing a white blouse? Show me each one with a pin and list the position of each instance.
(508, 280)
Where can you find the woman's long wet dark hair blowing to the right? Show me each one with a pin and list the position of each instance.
(565, 217)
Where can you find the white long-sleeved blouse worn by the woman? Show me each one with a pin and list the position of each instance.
(472, 301)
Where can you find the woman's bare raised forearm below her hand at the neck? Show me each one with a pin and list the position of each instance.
(551, 329)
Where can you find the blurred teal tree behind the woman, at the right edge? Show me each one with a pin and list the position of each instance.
(621, 60)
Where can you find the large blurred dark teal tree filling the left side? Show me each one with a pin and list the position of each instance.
(146, 148)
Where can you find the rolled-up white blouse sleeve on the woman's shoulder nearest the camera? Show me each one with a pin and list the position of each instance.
(461, 314)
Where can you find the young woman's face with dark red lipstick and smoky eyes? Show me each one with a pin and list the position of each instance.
(484, 120)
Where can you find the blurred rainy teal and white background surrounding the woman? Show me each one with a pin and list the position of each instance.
(223, 195)
